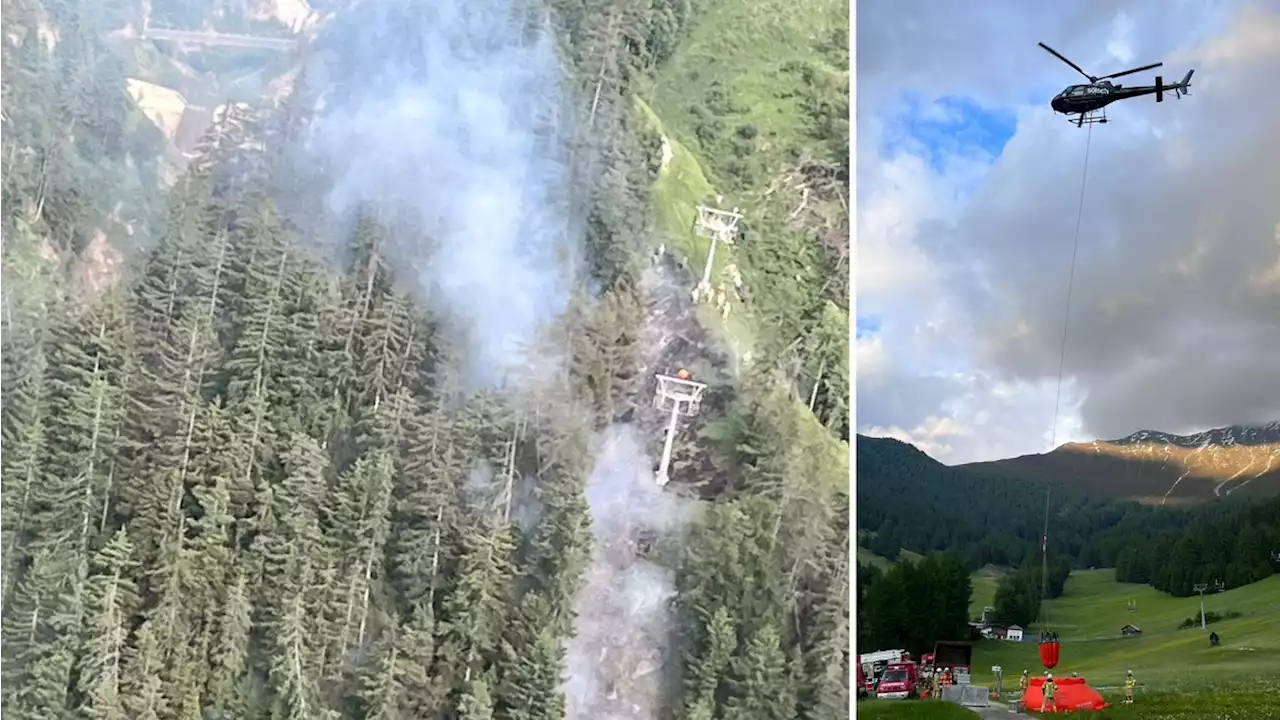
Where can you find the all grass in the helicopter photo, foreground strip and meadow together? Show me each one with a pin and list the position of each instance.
(1181, 677)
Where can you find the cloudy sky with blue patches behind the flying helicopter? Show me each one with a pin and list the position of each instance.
(967, 197)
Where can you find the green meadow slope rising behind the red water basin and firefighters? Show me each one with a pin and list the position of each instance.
(1094, 609)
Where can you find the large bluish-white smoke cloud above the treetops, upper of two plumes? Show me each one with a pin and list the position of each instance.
(445, 110)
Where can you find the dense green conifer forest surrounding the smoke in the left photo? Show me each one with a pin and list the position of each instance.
(254, 471)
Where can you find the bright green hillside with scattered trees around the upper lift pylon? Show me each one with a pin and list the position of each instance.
(767, 133)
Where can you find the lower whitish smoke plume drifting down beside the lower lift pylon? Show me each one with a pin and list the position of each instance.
(618, 657)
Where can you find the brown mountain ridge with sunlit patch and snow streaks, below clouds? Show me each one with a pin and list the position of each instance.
(1159, 468)
